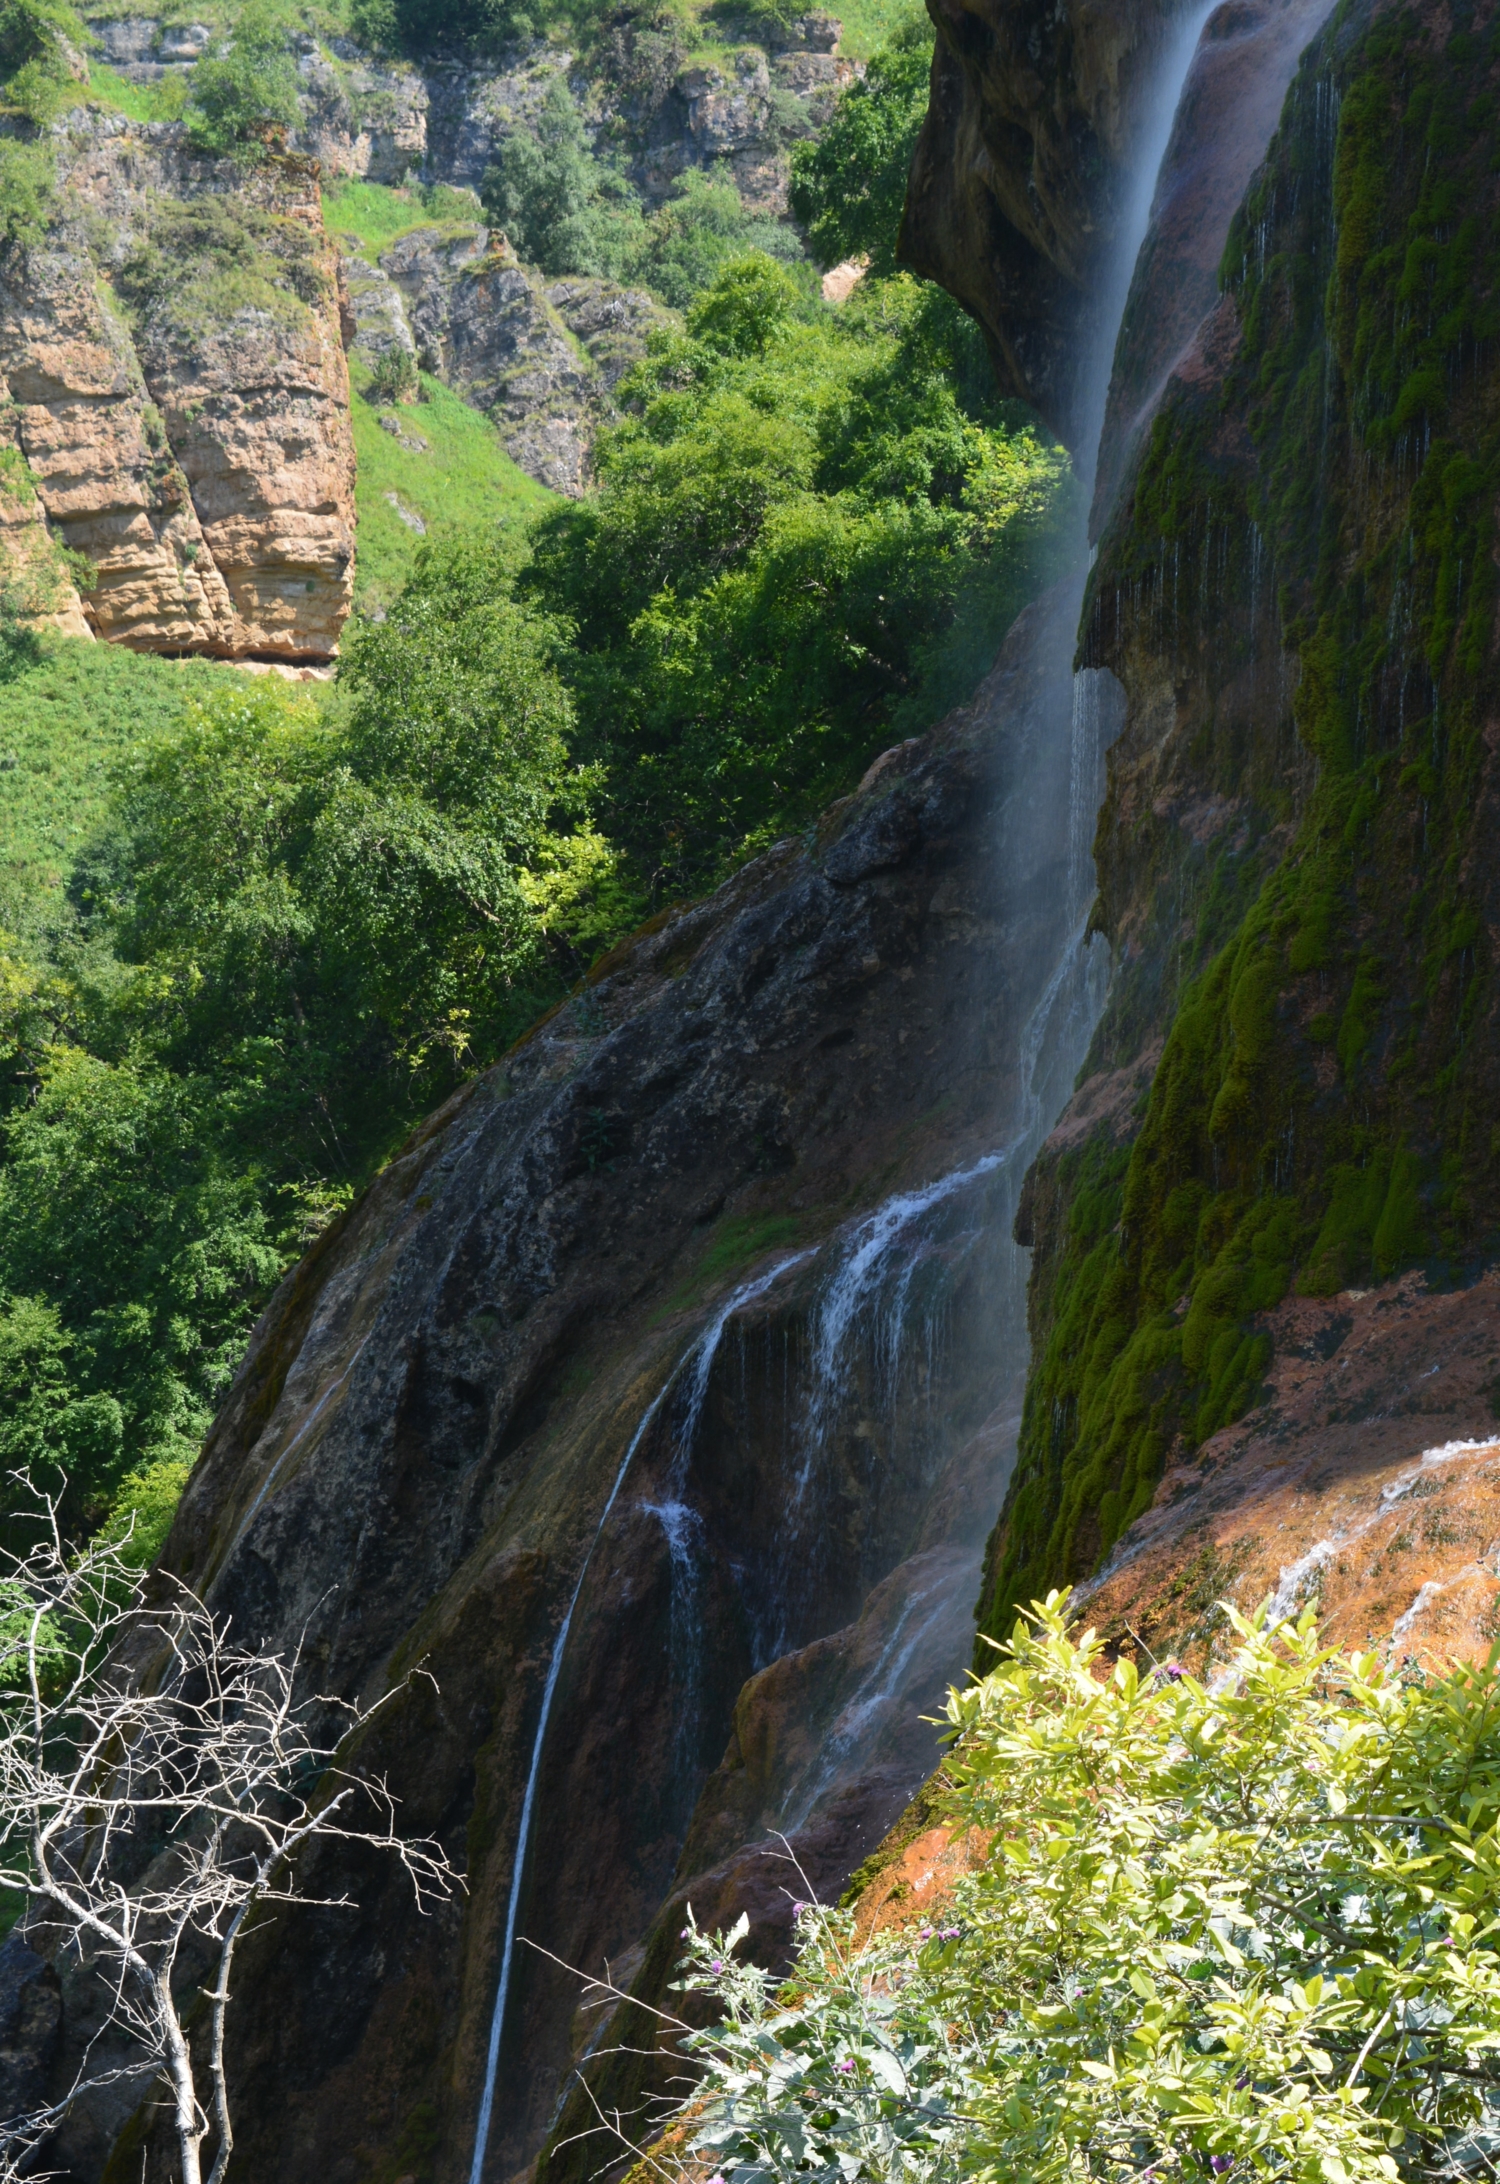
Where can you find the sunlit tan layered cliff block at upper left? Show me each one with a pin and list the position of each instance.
(206, 471)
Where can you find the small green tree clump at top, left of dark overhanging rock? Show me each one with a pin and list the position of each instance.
(850, 187)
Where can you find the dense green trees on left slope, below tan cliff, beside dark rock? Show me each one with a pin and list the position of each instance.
(294, 936)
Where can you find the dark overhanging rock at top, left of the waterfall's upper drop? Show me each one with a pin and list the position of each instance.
(1023, 171)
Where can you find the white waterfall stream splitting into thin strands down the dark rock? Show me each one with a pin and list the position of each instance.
(872, 1268)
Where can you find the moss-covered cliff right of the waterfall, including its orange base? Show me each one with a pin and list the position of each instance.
(1261, 1294)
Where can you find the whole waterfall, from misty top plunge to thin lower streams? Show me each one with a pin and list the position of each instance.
(872, 1287)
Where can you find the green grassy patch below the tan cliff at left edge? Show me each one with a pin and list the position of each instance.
(69, 713)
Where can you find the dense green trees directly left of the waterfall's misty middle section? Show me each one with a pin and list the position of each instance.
(802, 543)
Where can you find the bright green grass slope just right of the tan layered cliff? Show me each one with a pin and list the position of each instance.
(464, 479)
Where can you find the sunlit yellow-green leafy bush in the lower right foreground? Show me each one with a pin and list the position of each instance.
(1239, 1932)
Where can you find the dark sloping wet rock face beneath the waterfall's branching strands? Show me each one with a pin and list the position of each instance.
(645, 1237)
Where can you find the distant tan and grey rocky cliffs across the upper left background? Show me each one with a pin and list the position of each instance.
(176, 388)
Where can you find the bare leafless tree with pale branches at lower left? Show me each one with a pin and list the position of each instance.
(156, 1790)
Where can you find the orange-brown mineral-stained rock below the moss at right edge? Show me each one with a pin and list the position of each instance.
(1368, 1482)
